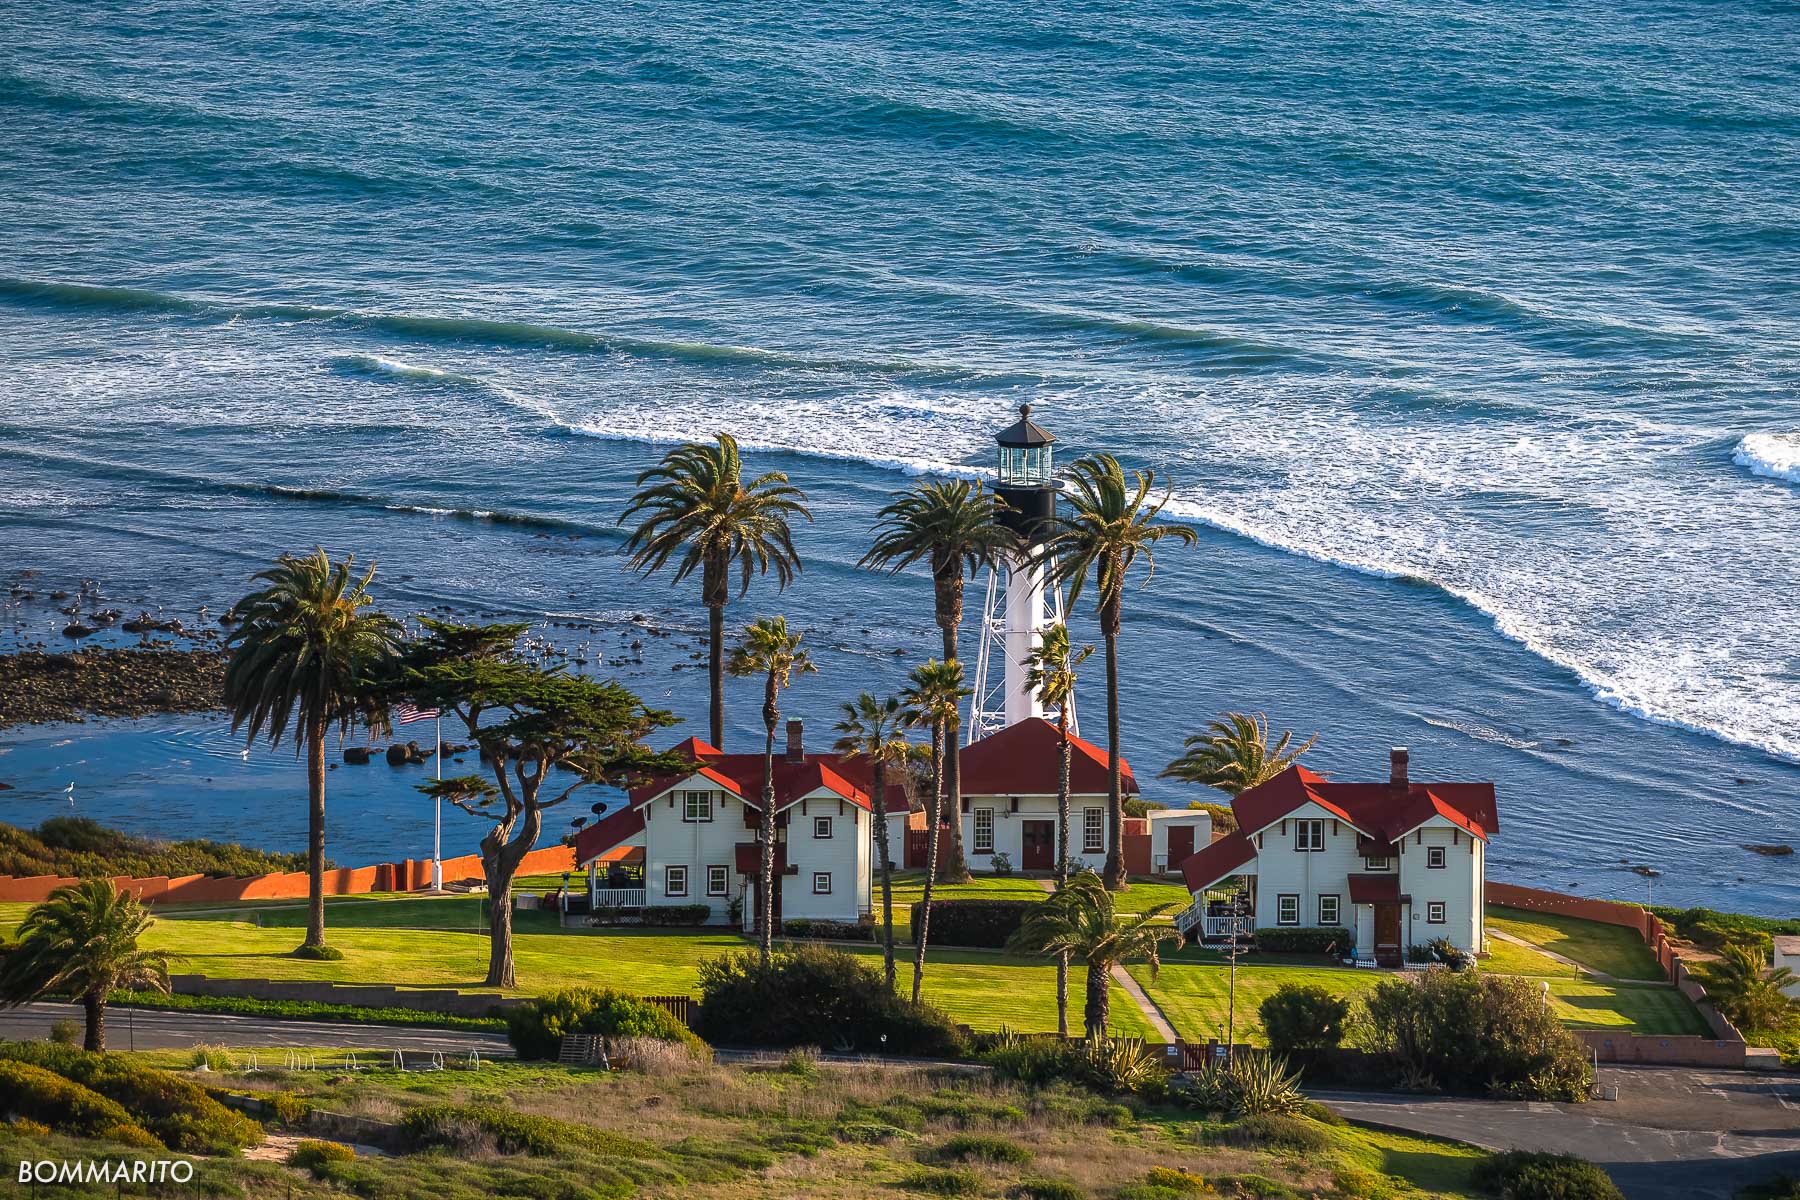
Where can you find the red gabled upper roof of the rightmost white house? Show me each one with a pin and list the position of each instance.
(1380, 810)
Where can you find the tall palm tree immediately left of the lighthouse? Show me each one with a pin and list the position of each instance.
(955, 528)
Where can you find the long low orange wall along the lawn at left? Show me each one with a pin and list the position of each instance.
(388, 877)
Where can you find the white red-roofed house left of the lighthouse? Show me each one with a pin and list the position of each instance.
(697, 832)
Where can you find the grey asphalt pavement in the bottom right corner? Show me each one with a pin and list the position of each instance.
(1673, 1134)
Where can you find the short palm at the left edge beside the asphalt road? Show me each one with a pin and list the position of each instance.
(82, 942)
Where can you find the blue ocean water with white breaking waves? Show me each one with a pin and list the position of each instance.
(1466, 334)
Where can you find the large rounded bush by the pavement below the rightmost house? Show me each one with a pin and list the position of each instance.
(1477, 1034)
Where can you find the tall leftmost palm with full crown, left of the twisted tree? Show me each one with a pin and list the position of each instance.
(307, 652)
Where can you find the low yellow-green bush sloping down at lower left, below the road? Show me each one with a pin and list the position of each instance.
(175, 1111)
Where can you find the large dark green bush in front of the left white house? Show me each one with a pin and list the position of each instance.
(818, 996)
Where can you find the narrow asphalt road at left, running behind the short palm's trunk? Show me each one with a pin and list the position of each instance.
(150, 1030)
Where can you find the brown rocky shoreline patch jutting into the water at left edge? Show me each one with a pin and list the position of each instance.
(40, 688)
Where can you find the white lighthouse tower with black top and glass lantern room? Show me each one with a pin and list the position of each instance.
(1020, 600)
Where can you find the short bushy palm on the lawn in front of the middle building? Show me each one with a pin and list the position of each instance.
(1081, 922)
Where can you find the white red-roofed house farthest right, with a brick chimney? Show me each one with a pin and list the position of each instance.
(1392, 864)
